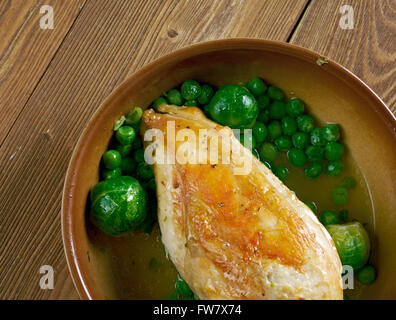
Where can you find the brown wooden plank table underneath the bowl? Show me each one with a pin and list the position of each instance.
(52, 80)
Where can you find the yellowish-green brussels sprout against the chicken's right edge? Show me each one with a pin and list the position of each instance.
(352, 243)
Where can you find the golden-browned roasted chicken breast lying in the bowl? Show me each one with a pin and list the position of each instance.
(235, 236)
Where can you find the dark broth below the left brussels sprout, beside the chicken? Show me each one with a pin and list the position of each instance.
(139, 265)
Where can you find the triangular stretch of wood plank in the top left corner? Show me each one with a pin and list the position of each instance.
(26, 50)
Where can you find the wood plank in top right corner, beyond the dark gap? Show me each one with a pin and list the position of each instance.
(368, 50)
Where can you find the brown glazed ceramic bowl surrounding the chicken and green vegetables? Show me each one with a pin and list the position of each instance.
(369, 130)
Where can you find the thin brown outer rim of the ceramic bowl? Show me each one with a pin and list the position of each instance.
(203, 47)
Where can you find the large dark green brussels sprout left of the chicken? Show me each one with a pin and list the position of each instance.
(118, 205)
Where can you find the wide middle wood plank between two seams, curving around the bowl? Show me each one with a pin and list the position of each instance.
(108, 41)
